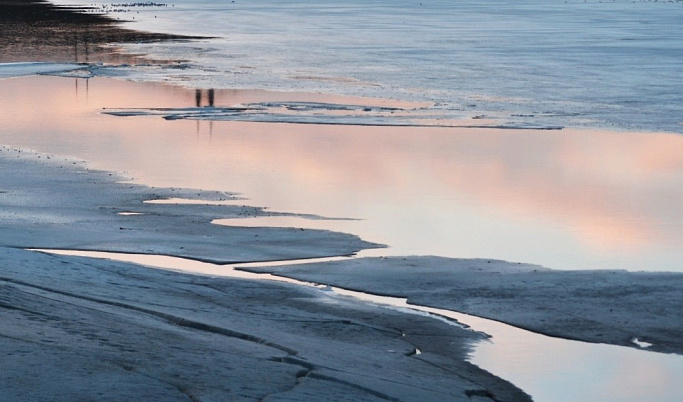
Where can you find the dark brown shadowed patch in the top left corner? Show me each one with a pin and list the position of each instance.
(35, 30)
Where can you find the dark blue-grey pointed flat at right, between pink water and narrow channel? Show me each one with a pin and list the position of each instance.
(613, 307)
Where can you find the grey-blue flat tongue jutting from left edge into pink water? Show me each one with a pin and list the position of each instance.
(60, 203)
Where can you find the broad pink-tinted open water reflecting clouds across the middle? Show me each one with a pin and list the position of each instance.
(565, 199)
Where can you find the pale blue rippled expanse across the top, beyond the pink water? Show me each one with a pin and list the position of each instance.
(574, 63)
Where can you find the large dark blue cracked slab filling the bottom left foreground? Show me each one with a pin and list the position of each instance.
(80, 329)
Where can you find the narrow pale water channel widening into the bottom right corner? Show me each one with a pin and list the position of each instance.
(549, 369)
